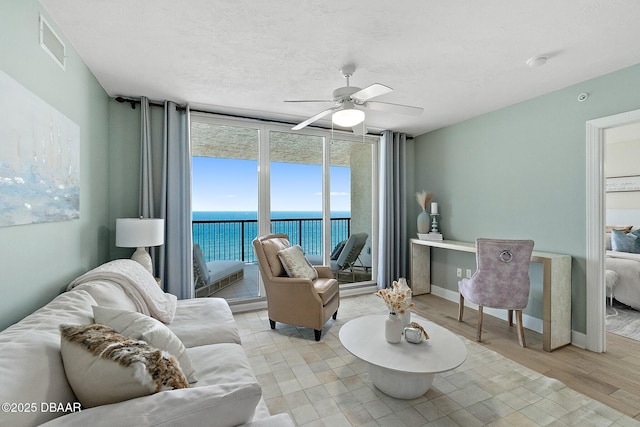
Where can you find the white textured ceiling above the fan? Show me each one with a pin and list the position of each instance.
(456, 59)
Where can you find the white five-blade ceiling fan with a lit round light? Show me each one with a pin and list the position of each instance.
(350, 101)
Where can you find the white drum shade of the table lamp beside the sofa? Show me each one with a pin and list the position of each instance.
(139, 232)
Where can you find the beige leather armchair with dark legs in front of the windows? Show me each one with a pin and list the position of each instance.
(295, 301)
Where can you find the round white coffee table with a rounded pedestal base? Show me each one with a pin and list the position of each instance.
(403, 370)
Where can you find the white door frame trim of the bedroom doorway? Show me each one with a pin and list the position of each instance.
(595, 197)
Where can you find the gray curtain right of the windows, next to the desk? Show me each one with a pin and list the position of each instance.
(392, 234)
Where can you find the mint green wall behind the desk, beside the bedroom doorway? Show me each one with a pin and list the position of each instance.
(520, 172)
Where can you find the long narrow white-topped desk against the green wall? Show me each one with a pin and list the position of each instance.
(556, 282)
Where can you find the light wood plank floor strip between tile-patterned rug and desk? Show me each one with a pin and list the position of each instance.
(612, 378)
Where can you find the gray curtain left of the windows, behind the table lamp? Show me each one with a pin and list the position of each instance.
(174, 262)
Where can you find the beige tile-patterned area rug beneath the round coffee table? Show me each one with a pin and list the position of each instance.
(322, 384)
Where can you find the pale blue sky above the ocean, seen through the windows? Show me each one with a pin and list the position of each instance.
(232, 185)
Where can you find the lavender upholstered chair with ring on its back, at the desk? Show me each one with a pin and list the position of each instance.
(500, 281)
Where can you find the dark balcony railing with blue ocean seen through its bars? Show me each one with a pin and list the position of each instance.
(231, 239)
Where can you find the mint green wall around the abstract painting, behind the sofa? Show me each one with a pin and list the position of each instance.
(38, 261)
